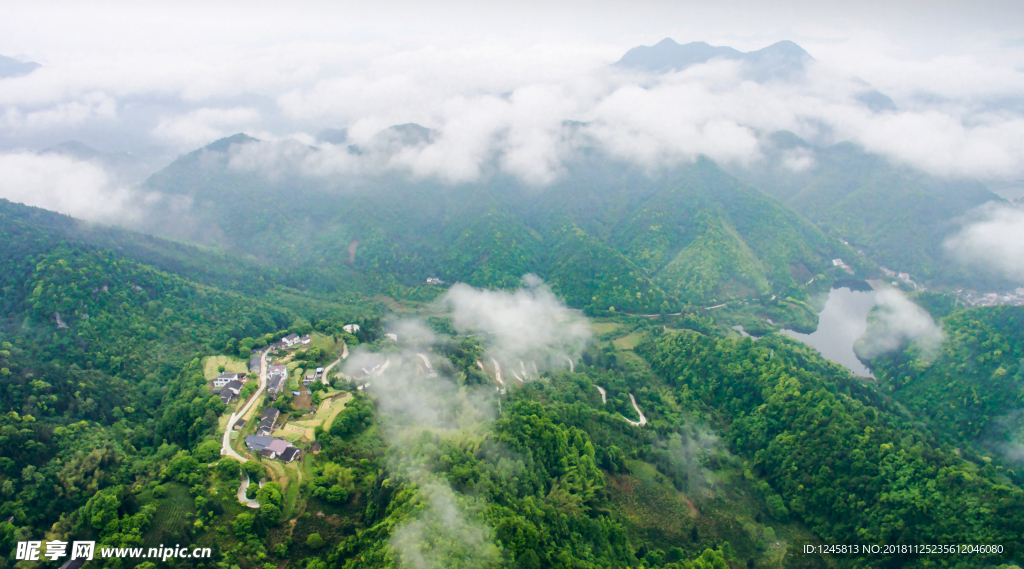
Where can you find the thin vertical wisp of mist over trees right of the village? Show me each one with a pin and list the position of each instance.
(412, 406)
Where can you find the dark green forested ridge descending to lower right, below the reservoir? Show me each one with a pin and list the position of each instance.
(845, 464)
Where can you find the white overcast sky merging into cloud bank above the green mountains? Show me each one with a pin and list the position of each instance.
(498, 79)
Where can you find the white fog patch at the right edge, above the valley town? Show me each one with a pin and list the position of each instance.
(993, 240)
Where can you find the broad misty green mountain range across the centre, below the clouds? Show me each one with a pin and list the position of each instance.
(607, 236)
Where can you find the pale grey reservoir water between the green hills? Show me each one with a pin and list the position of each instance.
(842, 322)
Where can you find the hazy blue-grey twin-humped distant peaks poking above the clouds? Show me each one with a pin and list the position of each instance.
(783, 60)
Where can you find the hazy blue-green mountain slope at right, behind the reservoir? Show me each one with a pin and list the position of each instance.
(899, 216)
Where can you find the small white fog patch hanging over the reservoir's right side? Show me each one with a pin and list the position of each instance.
(898, 322)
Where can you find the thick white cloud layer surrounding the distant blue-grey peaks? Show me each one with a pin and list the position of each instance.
(526, 106)
